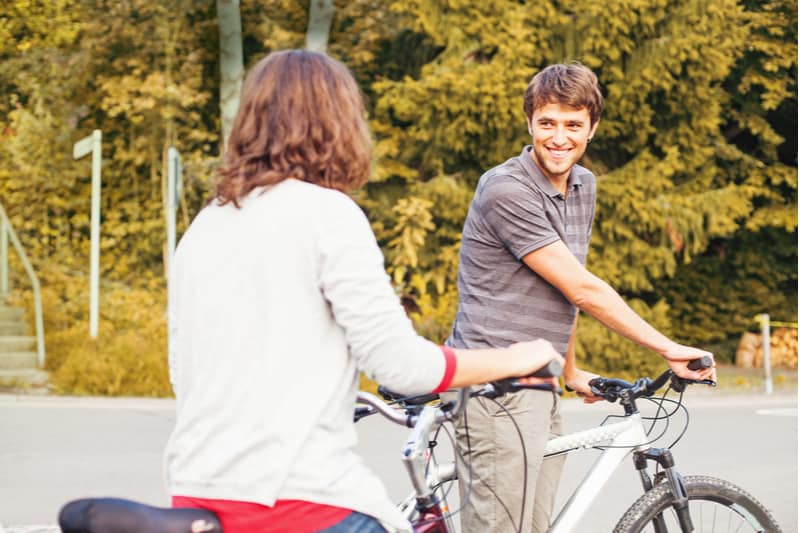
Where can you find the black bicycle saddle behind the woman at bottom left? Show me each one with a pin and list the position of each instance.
(115, 515)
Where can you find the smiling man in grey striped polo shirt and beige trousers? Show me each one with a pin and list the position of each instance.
(522, 276)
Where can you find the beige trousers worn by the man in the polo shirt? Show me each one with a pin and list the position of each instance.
(495, 466)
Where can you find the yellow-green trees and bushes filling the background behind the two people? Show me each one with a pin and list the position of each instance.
(696, 153)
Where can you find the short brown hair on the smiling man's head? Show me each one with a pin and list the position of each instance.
(572, 84)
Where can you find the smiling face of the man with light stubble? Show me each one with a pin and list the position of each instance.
(560, 135)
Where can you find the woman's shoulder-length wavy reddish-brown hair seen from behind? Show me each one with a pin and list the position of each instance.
(301, 116)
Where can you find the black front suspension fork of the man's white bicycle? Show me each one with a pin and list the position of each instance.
(680, 498)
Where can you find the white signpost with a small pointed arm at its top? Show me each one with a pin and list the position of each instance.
(93, 144)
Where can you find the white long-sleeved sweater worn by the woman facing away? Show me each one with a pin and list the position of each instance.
(273, 308)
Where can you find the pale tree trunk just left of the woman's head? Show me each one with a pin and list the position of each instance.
(231, 64)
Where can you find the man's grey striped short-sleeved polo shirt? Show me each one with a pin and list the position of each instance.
(514, 212)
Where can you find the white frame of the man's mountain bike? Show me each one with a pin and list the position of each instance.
(626, 436)
